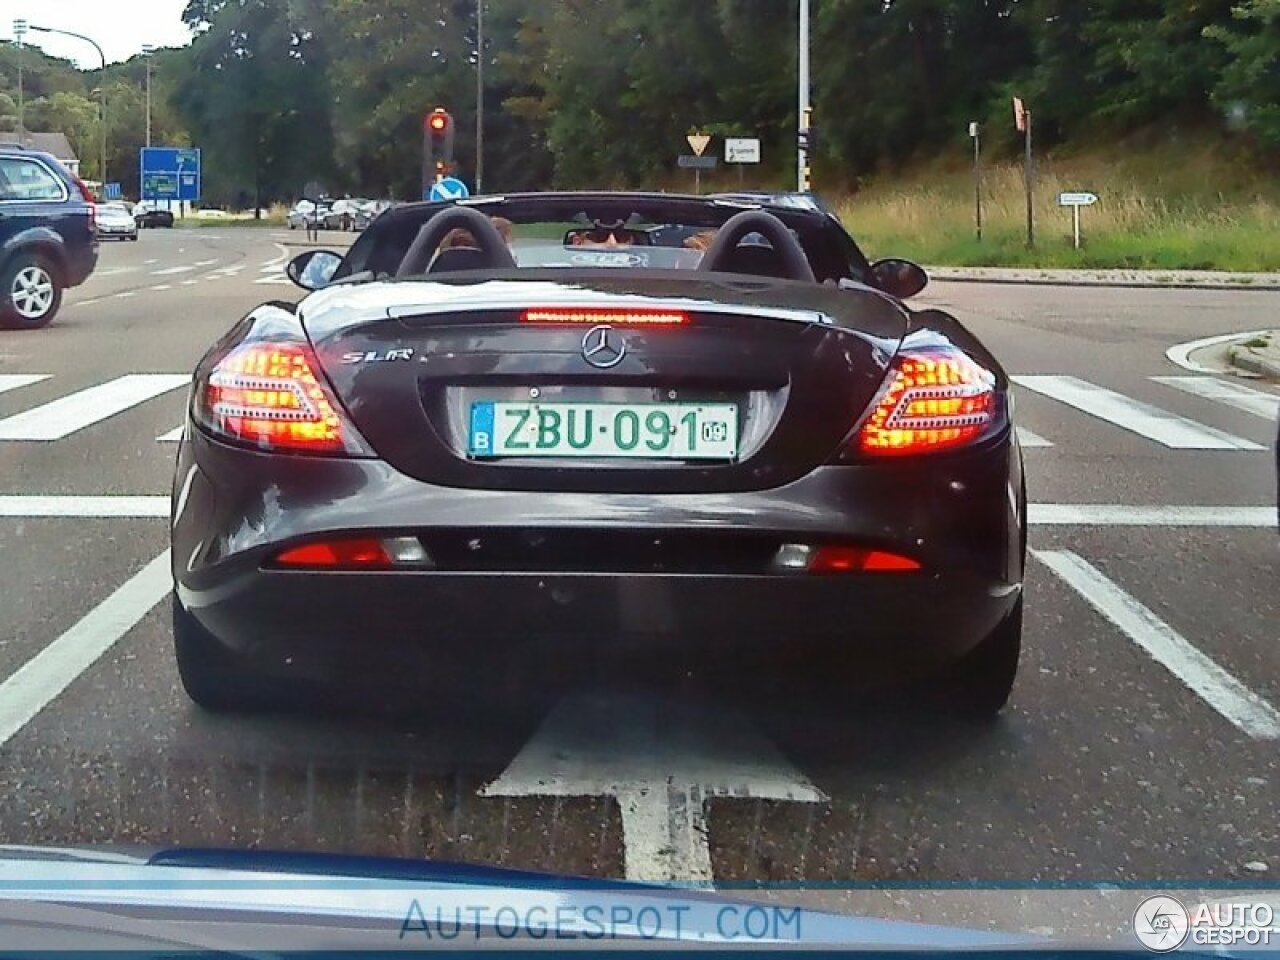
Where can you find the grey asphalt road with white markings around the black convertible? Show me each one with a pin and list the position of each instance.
(1140, 746)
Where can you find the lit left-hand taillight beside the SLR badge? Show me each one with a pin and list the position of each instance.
(269, 395)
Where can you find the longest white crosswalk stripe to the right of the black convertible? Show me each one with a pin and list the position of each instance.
(1136, 417)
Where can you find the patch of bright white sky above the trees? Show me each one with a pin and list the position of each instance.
(121, 28)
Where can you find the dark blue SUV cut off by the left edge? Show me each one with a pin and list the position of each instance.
(48, 236)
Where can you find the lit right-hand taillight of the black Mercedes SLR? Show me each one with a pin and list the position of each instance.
(938, 400)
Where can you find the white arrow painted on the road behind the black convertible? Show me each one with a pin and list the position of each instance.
(662, 762)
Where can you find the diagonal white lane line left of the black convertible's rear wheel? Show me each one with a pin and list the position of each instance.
(35, 685)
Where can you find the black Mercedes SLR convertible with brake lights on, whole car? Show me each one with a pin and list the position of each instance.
(461, 460)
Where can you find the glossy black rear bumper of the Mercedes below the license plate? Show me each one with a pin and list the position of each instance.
(235, 510)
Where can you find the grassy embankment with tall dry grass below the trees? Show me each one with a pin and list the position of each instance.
(1159, 209)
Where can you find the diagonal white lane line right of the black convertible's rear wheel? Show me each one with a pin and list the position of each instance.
(1171, 650)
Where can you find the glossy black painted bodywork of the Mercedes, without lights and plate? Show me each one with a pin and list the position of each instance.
(570, 566)
